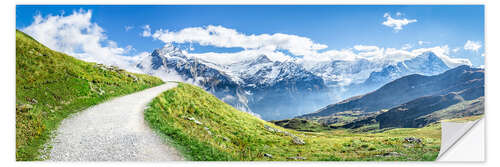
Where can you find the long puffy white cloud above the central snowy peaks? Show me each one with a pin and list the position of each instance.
(219, 36)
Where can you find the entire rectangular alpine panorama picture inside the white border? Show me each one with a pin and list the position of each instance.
(189, 82)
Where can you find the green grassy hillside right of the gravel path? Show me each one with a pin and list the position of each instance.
(205, 128)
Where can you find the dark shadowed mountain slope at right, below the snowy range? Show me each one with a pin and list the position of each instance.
(411, 101)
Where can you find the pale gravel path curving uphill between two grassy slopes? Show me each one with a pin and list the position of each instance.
(112, 131)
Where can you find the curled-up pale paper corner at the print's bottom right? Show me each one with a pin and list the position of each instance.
(453, 132)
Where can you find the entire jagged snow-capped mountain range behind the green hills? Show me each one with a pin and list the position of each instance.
(282, 89)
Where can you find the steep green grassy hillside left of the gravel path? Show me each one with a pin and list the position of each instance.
(51, 85)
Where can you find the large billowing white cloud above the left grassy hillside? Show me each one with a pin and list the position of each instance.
(77, 36)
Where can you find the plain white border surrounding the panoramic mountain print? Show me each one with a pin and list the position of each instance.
(8, 82)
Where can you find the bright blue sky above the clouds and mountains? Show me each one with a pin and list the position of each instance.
(337, 27)
